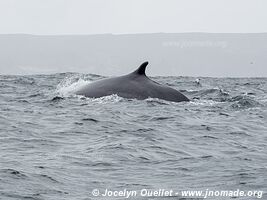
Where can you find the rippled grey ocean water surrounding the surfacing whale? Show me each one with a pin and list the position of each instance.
(56, 145)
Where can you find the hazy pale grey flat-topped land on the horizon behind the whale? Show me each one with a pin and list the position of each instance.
(180, 54)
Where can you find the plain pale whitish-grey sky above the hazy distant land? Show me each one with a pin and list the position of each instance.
(131, 16)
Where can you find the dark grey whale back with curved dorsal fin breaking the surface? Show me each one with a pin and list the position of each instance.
(135, 85)
